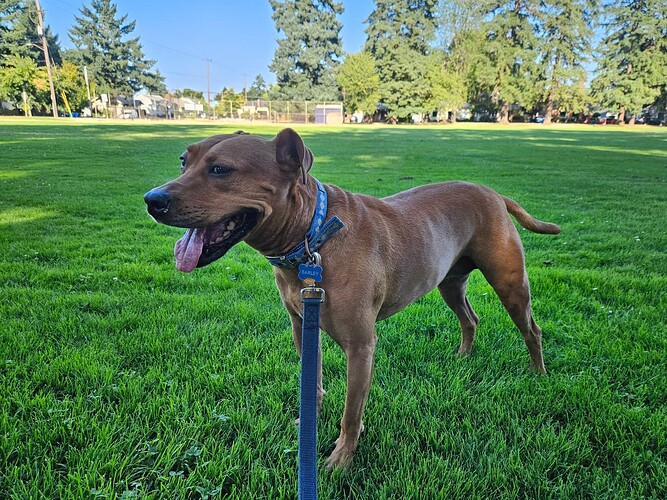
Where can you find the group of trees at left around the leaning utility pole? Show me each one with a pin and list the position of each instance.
(103, 44)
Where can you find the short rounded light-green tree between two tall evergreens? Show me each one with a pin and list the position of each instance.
(360, 83)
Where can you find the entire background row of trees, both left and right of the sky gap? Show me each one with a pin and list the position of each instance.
(497, 58)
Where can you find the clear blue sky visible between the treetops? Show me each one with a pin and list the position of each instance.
(237, 36)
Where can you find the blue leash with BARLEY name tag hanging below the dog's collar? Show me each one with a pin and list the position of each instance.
(312, 297)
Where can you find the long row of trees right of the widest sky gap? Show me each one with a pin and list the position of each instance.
(500, 58)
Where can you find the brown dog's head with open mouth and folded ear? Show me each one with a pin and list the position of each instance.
(229, 186)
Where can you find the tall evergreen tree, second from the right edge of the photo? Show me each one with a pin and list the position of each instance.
(566, 28)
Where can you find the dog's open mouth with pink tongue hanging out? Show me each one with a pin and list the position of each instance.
(200, 246)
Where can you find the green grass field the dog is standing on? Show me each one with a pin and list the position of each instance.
(123, 378)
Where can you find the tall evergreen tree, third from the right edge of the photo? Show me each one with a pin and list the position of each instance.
(506, 69)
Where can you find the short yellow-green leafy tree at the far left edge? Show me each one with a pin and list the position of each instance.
(21, 80)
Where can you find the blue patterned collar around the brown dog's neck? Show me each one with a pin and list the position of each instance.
(316, 236)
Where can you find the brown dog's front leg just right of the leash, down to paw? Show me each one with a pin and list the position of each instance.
(360, 359)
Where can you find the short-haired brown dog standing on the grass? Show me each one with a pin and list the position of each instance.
(389, 253)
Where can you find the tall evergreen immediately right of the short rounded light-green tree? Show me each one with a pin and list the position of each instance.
(399, 37)
